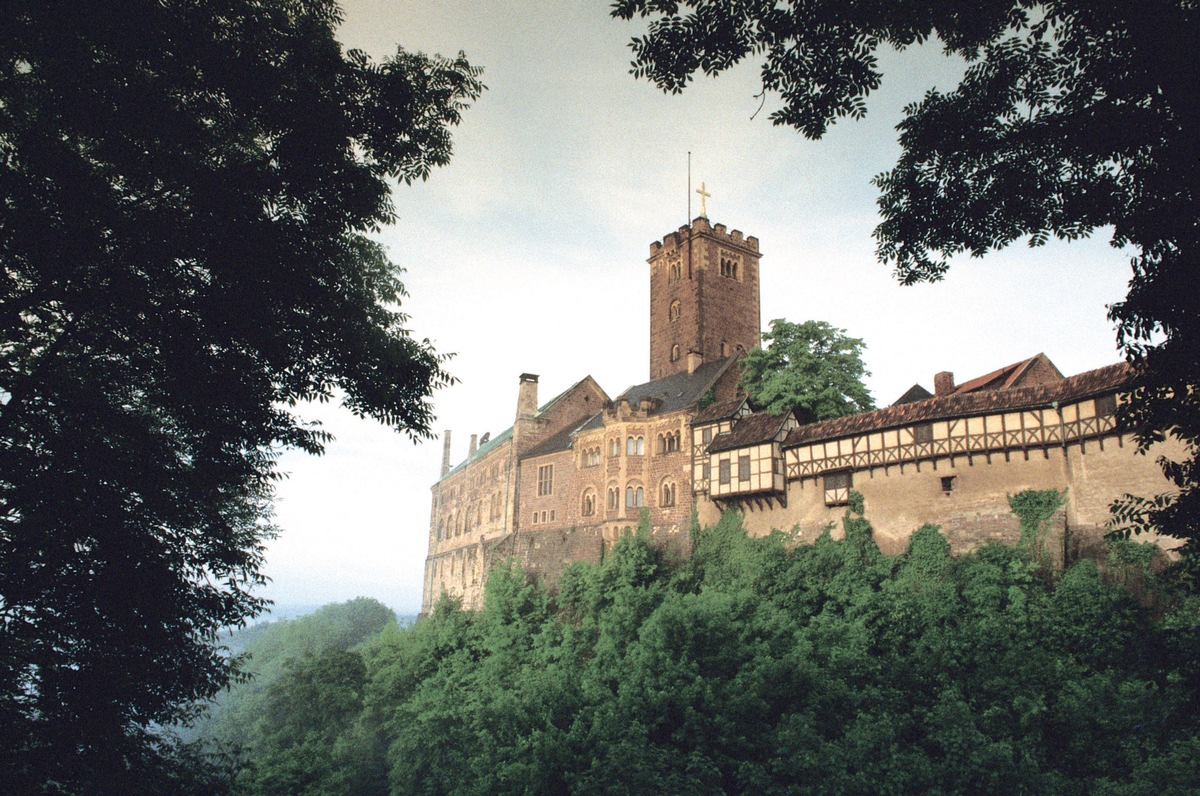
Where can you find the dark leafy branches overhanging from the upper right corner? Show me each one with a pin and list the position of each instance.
(1072, 117)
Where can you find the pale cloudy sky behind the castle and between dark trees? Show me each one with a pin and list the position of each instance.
(527, 254)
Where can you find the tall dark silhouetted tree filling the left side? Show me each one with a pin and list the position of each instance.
(188, 191)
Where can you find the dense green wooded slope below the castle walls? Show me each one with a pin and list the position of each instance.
(753, 667)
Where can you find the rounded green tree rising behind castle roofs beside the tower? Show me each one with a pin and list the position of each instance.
(811, 368)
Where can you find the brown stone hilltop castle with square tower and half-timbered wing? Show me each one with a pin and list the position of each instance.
(573, 474)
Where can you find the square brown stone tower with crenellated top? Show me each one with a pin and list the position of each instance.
(704, 297)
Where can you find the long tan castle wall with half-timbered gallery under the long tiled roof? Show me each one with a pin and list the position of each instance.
(959, 472)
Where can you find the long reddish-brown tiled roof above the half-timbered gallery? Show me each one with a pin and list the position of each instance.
(1095, 382)
